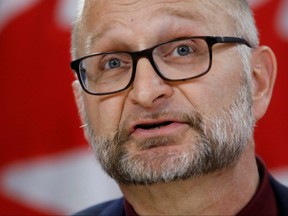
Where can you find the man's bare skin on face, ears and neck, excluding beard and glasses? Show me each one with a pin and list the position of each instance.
(137, 25)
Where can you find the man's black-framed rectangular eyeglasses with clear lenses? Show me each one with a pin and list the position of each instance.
(177, 60)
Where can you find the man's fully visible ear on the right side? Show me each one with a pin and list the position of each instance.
(264, 71)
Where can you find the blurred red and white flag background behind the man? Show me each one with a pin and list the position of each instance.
(46, 167)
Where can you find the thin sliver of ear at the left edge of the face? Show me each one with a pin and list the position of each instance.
(77, 90)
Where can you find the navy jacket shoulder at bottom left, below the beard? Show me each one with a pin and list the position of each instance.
(109, 208)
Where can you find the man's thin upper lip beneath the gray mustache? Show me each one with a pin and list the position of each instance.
(145, 122)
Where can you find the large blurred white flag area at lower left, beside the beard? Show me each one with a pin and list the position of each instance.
(65, 182)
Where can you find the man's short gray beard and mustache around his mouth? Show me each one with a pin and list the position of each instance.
(217, 142)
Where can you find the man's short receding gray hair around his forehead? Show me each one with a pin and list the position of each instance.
(238, 11)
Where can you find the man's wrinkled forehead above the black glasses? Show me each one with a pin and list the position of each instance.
(103, 18)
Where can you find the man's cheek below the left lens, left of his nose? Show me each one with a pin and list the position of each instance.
(103, 113)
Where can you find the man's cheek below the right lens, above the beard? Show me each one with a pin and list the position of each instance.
(215, 90)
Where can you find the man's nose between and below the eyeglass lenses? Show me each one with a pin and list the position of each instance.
(148, 87)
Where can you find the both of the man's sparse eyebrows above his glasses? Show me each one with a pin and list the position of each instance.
(188, 14)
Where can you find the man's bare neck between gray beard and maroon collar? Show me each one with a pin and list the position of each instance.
(224, 192)
